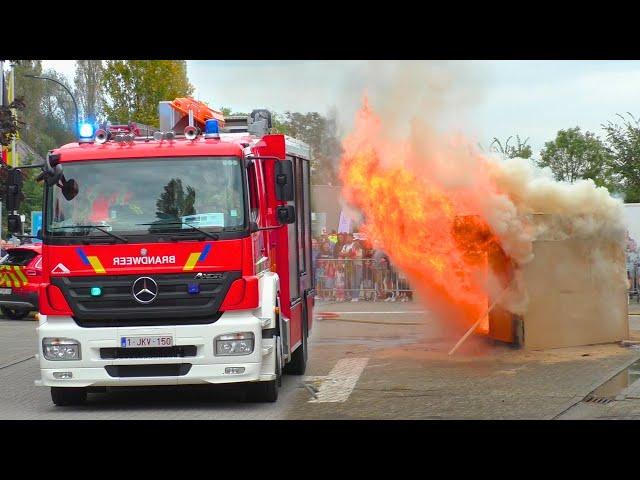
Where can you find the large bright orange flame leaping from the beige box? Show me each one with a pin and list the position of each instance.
(433, 229)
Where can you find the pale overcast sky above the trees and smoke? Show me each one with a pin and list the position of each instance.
(532, 99)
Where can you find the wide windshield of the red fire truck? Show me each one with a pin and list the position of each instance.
(137, 196)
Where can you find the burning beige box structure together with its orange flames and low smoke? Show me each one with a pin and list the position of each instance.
(471, 232)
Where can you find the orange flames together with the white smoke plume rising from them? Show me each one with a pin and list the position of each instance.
(433, 201)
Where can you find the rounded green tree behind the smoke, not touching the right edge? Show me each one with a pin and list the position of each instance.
(573, 155)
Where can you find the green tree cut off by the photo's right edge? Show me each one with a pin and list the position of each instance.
(623, 145)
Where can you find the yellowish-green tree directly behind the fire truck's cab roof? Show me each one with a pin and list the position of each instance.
(135, 87)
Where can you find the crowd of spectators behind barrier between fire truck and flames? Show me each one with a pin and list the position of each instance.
(348, 268)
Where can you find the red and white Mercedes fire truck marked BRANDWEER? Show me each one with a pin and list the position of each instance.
(174, 259)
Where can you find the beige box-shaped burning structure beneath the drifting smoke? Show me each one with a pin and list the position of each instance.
(574, 293)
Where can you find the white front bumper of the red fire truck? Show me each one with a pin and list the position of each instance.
(205, 366)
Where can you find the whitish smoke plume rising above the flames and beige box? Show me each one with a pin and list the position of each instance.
(420, 107)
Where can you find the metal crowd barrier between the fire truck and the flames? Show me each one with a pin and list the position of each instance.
(341, 279)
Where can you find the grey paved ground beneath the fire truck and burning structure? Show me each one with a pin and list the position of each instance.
(374, 361)
